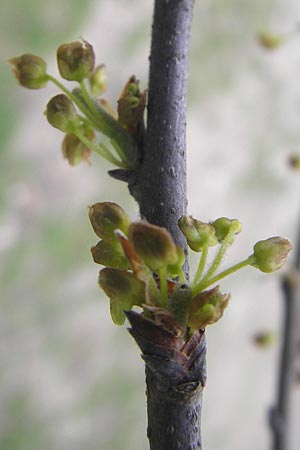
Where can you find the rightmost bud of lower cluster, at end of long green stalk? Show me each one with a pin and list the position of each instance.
(271, 254)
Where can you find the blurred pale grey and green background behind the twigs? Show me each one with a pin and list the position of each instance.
(69, 378)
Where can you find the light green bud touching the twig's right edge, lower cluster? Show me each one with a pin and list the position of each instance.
(197, 233)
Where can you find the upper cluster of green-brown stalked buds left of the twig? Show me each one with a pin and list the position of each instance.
(80, 113)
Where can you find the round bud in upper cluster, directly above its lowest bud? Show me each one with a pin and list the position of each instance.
(61, 114)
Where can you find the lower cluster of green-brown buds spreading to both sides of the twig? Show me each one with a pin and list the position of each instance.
(144, 267)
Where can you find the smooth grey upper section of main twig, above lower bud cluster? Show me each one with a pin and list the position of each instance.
(161, 185)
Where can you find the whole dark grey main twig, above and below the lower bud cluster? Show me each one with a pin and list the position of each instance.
(175, 369)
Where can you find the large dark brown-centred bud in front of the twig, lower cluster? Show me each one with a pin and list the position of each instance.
(153, 244)
